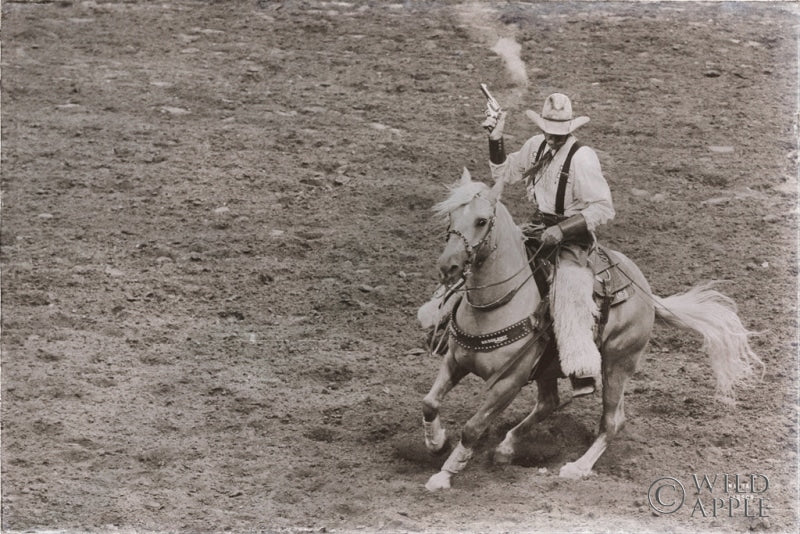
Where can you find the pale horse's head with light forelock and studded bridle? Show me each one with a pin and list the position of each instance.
(471, 210)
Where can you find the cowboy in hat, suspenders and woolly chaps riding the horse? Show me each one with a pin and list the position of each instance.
(566, 185)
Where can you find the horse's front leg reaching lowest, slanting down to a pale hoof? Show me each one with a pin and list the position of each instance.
(497, 399)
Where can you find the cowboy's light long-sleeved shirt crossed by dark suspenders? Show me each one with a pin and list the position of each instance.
(587, 191)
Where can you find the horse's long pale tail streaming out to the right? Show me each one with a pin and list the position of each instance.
(725, 339)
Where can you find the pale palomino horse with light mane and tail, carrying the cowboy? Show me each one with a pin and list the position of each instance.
(485, 252)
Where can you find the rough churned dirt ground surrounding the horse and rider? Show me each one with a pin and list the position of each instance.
(216, 231)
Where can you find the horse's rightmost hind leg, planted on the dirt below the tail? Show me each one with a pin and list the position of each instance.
(615, 376)
